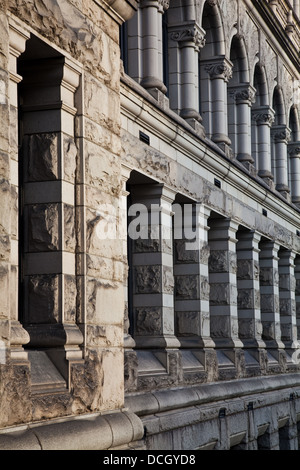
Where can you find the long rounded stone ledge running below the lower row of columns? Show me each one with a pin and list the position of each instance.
(164, 400)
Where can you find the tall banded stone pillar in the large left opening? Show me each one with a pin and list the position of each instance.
(49, 162)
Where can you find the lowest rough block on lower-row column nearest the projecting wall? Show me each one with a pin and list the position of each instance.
(148, 321)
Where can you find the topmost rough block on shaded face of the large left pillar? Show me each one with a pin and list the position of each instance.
(41, 155)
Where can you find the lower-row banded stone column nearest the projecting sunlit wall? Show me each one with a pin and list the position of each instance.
(152, 259)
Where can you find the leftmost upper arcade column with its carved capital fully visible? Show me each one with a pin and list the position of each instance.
(189, 39)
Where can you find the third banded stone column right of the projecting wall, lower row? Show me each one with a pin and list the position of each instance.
(223, 288)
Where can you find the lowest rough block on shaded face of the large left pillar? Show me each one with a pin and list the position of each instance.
(43, 299)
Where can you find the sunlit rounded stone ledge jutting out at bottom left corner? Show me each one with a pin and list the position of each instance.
(98, 432)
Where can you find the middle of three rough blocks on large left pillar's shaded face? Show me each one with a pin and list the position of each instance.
(43, 227)
